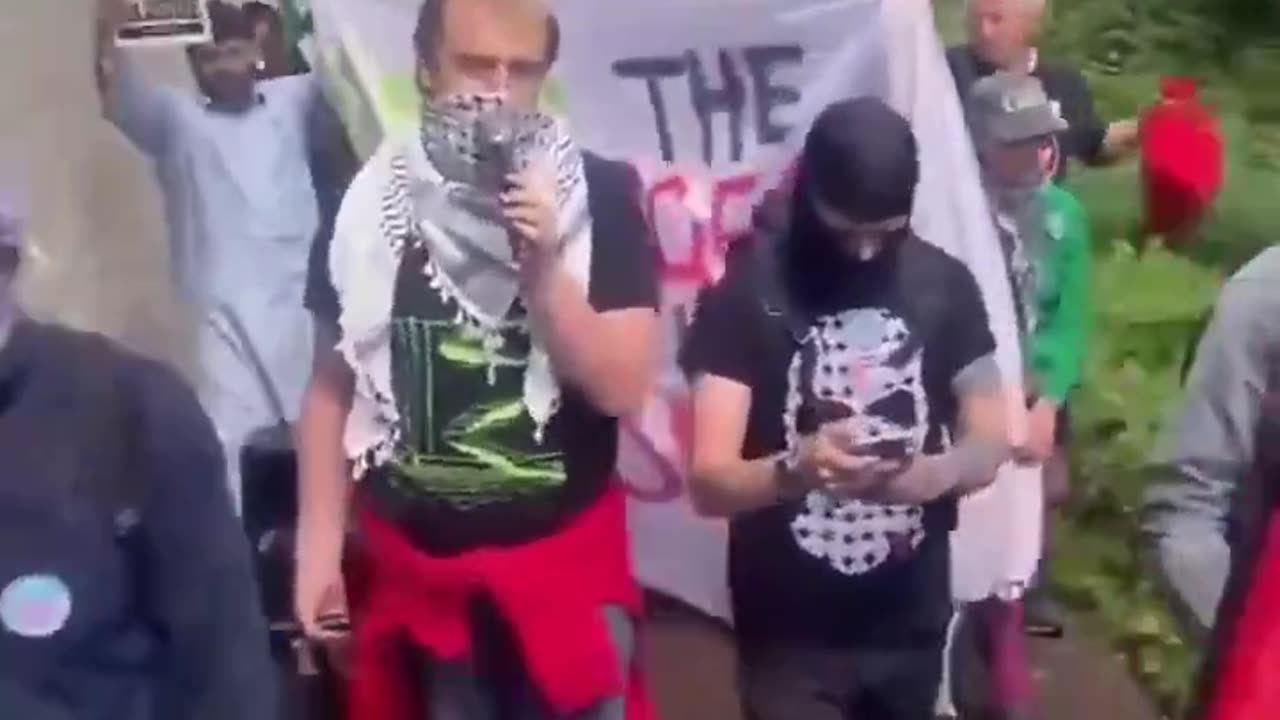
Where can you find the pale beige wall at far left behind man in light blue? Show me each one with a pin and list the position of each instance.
(99, 245)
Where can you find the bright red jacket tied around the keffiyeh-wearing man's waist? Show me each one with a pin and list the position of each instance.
(552, 594)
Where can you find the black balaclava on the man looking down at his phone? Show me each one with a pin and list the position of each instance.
(860, 161)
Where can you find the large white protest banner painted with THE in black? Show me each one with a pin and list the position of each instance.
(710, 102)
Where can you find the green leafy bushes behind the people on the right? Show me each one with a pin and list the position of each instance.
(1149, 306)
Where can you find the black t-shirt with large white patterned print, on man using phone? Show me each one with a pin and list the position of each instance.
(819, 572)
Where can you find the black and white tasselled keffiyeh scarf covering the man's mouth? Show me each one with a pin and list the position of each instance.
(433, 192)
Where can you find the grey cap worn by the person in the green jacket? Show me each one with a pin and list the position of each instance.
(1012, 108)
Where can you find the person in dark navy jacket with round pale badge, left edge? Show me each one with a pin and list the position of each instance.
(126, 589)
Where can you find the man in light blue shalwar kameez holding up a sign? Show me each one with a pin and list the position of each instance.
(234, 168)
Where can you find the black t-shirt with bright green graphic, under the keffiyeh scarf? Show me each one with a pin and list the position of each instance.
(470, 472)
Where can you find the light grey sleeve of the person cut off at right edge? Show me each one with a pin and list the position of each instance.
(1210, 448)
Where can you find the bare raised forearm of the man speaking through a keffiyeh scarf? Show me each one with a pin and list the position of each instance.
(614, 363)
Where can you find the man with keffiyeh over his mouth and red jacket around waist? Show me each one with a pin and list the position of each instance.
(492, 295)
